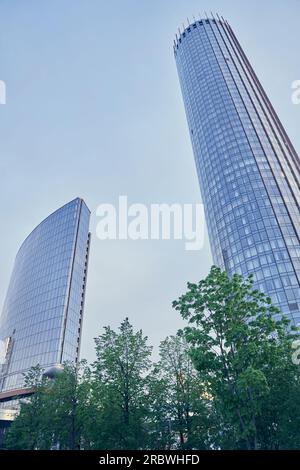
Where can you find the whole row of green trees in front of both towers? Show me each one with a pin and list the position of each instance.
(225, 381)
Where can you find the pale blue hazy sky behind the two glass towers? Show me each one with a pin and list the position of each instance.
(94, 110)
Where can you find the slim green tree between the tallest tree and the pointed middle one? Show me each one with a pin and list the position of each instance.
(183, 399)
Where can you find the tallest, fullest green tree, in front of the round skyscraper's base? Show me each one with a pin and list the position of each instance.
(243, 355)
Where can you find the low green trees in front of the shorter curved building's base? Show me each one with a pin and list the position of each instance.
(54, 416)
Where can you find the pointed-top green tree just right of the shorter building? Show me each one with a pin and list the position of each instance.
(119, 387)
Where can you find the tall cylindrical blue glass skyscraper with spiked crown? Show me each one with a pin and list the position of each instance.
(248, 170)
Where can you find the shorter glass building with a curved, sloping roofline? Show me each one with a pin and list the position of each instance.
(42, 315)
